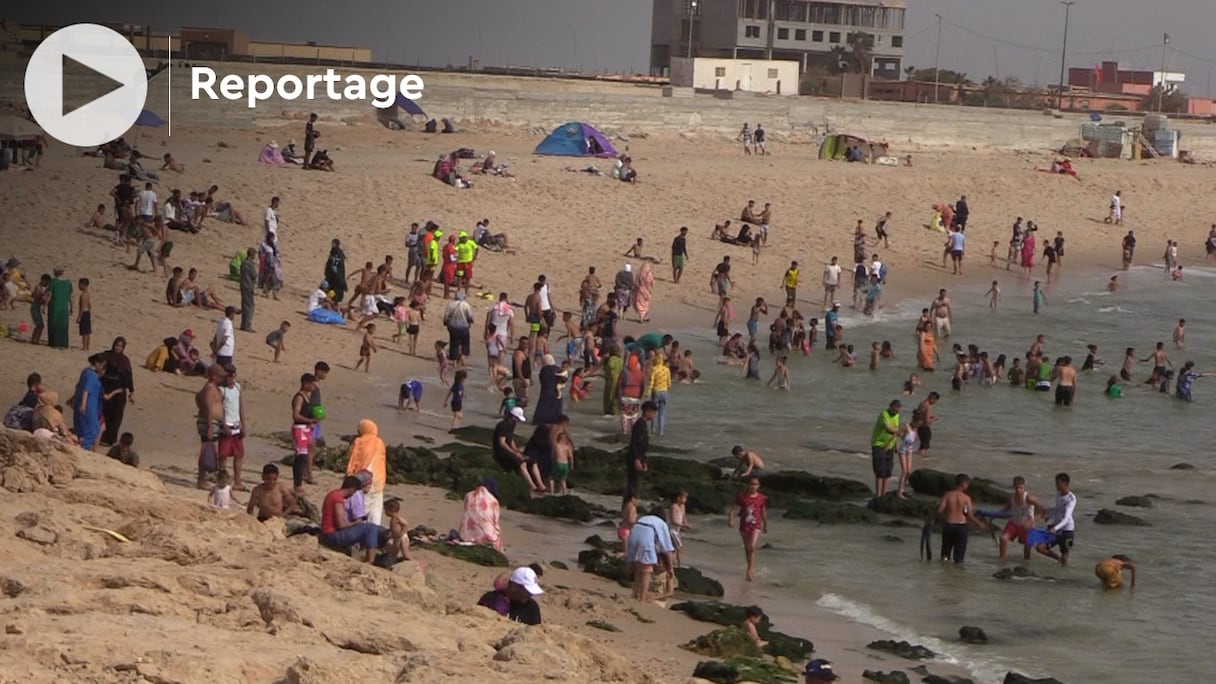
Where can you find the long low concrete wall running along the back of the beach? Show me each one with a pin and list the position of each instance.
(537, 103)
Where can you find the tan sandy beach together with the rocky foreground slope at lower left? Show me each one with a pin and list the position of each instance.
(233, 599)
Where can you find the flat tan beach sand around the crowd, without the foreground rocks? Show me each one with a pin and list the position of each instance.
(544, 210)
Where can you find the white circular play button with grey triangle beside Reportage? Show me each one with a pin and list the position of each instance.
(86, 85)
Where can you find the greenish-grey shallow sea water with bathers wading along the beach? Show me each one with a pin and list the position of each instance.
(1066, 627)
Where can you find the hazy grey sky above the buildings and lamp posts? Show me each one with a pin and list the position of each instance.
(1009, 37)
